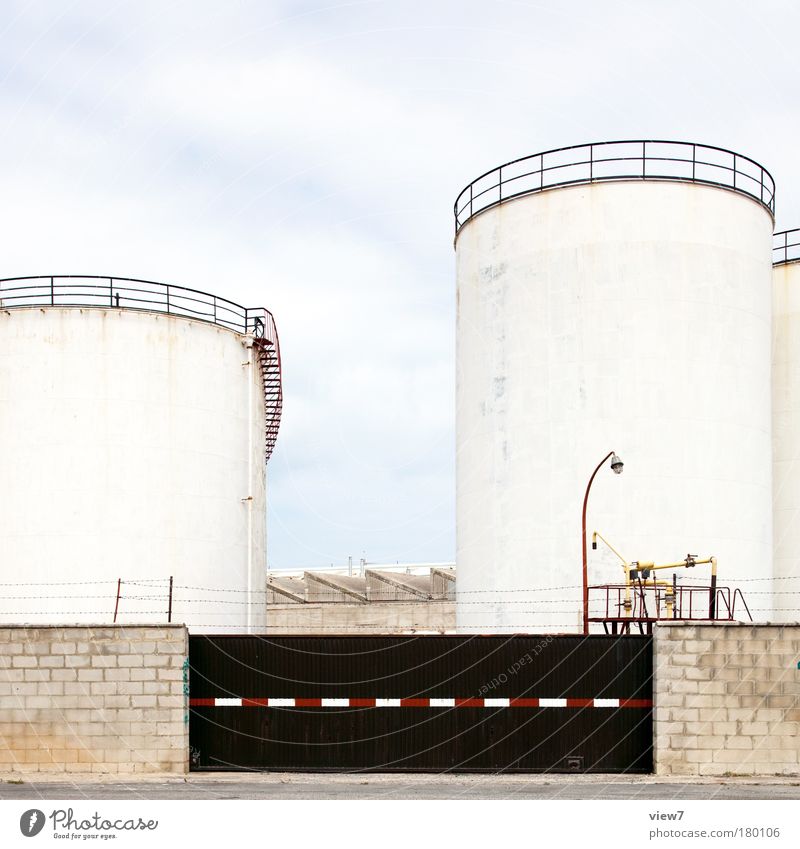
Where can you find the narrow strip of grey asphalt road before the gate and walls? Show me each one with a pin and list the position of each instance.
(316, 786)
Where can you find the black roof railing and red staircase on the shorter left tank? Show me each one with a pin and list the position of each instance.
(93, 291)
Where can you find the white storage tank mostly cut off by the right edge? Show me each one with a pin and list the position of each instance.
(786, 423)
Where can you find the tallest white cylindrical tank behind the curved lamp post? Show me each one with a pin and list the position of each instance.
(612, 296)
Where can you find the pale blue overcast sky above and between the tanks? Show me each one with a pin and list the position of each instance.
(305, 156)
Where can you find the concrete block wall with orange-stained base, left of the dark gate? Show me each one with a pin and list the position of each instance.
(94, 699)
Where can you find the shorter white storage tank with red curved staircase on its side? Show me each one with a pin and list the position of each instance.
(133, 439)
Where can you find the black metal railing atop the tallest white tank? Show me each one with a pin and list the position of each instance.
(596, 162)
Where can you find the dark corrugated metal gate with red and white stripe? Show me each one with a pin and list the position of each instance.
(421, 703)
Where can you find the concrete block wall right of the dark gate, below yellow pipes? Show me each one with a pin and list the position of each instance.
(726, 699)
